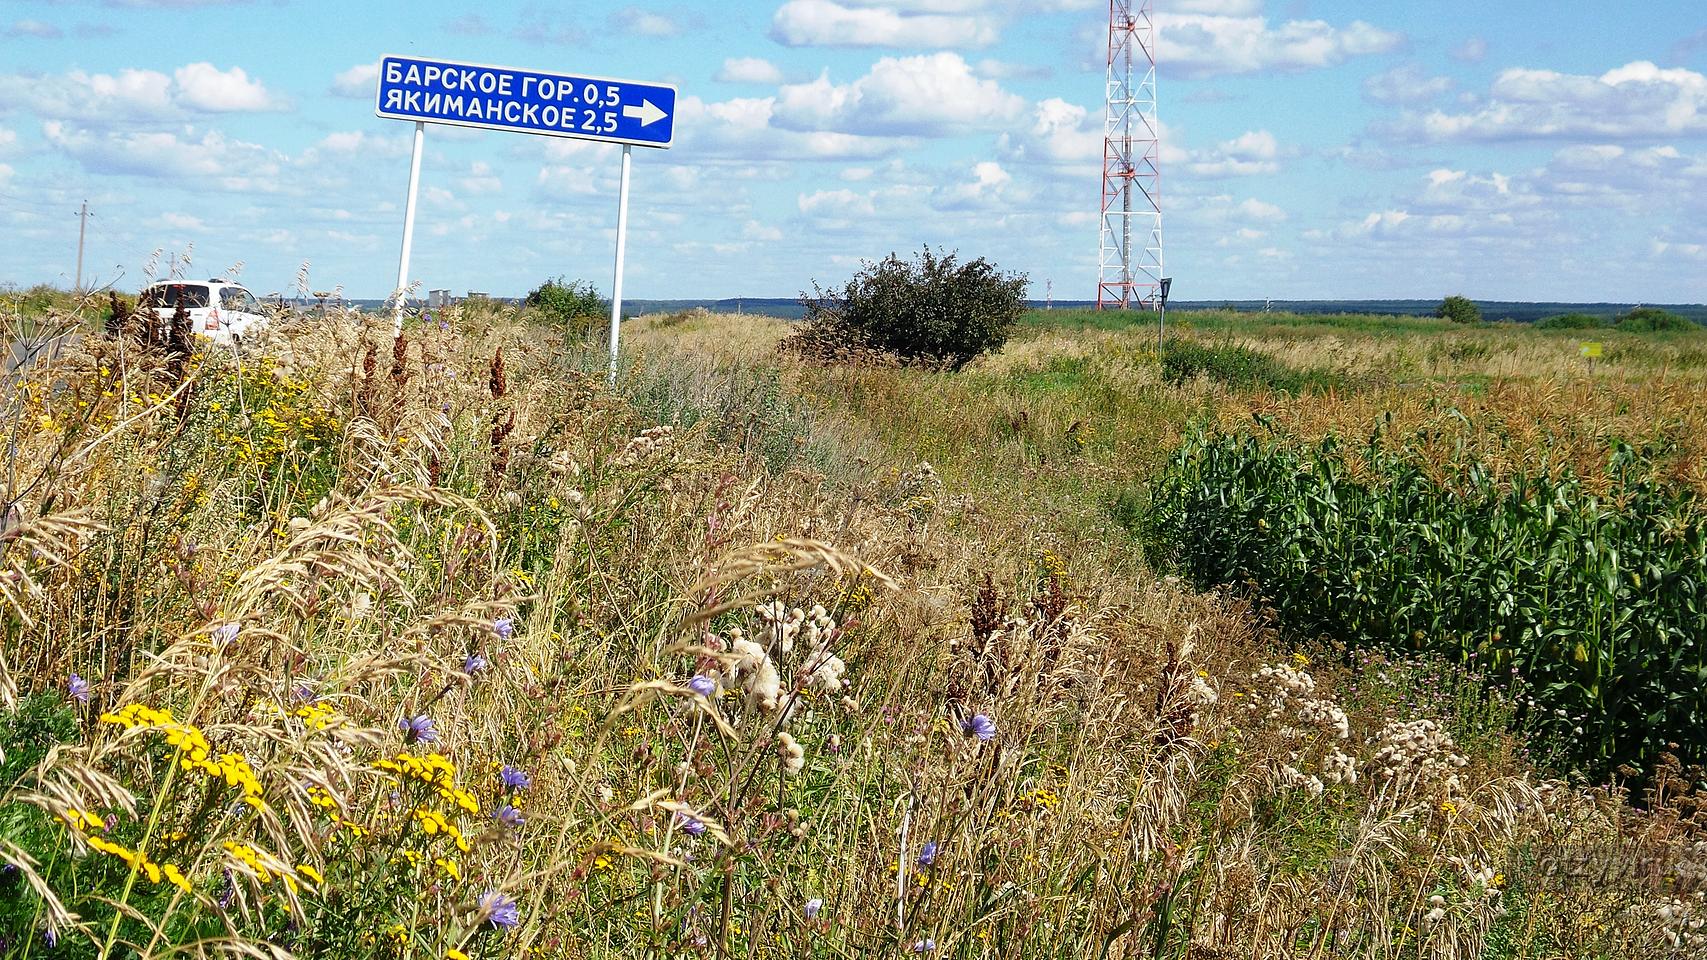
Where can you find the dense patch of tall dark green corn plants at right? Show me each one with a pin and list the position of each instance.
(1599, 604)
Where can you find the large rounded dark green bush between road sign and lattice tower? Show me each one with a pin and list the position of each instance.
(929, 310)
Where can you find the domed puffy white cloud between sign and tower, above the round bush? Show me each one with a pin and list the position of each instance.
(926, 97)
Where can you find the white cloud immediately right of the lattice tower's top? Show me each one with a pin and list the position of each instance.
(1203, 45)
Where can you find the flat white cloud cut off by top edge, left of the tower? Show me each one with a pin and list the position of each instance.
(829, 23)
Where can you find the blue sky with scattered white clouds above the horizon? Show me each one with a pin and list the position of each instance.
(1327, 149)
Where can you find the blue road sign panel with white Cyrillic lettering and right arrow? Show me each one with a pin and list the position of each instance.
(527, 102)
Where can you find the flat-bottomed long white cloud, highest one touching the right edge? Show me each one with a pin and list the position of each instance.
(1634, 102)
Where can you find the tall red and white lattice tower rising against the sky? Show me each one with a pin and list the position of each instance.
(1133, 204)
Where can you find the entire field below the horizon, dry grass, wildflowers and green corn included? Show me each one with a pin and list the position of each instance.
(352, 647)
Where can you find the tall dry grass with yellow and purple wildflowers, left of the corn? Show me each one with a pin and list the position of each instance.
(351, 647)
